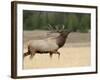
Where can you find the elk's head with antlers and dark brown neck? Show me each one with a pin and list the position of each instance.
(63, 34)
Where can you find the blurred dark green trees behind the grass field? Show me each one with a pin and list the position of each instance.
(77, 22)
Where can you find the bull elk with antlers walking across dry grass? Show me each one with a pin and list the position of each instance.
(49, 45)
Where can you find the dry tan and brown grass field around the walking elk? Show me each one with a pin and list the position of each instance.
(76, 51)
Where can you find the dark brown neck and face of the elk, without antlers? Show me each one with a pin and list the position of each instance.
(61, 39)
